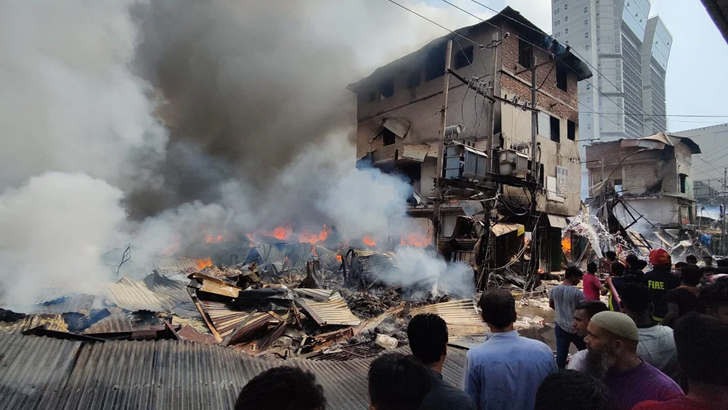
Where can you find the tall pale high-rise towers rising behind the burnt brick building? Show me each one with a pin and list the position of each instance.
(630, 50)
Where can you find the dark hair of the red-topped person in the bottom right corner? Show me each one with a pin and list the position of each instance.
(700, 349)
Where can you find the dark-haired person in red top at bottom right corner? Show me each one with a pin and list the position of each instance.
(703, 357)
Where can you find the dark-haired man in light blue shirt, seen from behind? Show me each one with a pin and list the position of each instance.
(504, 372)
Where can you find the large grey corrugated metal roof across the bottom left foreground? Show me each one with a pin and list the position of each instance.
(42, 373)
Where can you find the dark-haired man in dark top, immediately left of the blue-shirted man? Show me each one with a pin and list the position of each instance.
(427, 334)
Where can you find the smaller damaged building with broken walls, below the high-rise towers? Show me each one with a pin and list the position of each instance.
(653, 174)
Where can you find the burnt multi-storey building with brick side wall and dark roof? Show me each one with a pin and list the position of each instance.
(399, 104)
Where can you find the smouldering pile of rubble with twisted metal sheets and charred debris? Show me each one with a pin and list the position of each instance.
(295, 302)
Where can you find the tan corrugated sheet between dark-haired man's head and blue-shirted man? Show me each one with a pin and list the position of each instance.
(461, 316)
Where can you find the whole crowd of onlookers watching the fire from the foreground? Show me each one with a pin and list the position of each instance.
(660, 344)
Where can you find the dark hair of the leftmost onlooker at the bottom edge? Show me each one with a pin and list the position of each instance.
(282, 387)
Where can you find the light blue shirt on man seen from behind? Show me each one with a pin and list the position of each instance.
(504, 372)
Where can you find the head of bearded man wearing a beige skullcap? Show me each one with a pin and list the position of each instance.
(612, 337)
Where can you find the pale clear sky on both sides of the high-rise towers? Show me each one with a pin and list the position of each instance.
(697, 82)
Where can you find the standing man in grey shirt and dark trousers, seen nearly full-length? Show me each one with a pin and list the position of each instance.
(564, 298)
